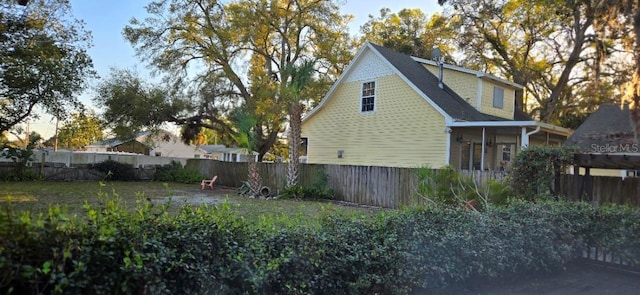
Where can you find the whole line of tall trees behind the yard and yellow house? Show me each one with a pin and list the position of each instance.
(216, 59)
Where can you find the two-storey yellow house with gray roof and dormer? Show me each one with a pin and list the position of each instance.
(387, 109)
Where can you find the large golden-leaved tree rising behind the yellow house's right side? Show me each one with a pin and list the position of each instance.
(549, 46)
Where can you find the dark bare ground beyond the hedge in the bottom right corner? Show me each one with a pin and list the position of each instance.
(578, 278)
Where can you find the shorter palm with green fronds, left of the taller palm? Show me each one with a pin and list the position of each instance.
(244, 137)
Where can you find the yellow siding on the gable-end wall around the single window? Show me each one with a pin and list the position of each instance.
(404, 130)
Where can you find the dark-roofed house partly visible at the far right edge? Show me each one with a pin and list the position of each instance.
(609, 142)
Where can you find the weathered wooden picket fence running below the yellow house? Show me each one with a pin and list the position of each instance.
(389, 187)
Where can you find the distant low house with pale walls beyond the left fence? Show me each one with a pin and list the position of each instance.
(160, 144)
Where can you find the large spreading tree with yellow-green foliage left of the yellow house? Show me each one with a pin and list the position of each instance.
(230, 55)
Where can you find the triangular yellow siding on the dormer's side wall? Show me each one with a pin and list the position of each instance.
(465, 85)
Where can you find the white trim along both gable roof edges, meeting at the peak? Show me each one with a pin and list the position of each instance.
(395, 70)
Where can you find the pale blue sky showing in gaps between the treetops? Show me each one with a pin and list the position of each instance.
(106, 19)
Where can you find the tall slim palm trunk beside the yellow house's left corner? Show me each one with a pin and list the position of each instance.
(295, 131)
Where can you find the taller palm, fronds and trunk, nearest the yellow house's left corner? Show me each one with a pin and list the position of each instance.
(298, 78)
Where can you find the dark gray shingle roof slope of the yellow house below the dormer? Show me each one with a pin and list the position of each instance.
(447, 99)
